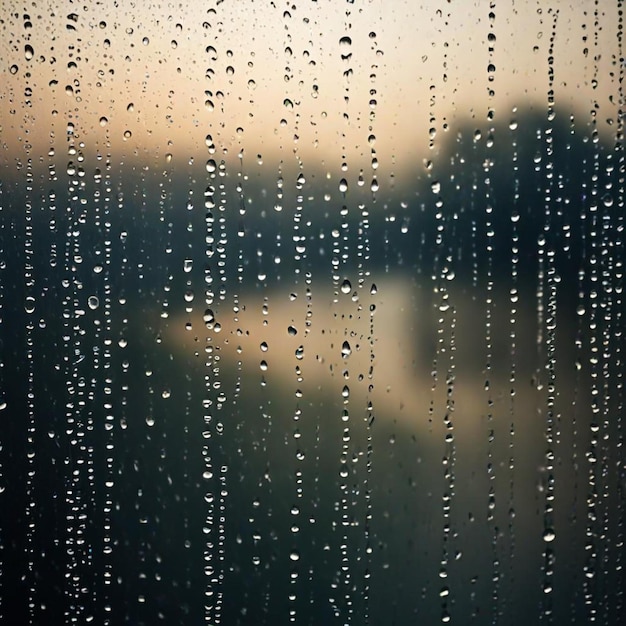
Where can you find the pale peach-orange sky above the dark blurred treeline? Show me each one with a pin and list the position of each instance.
(256, 75)
